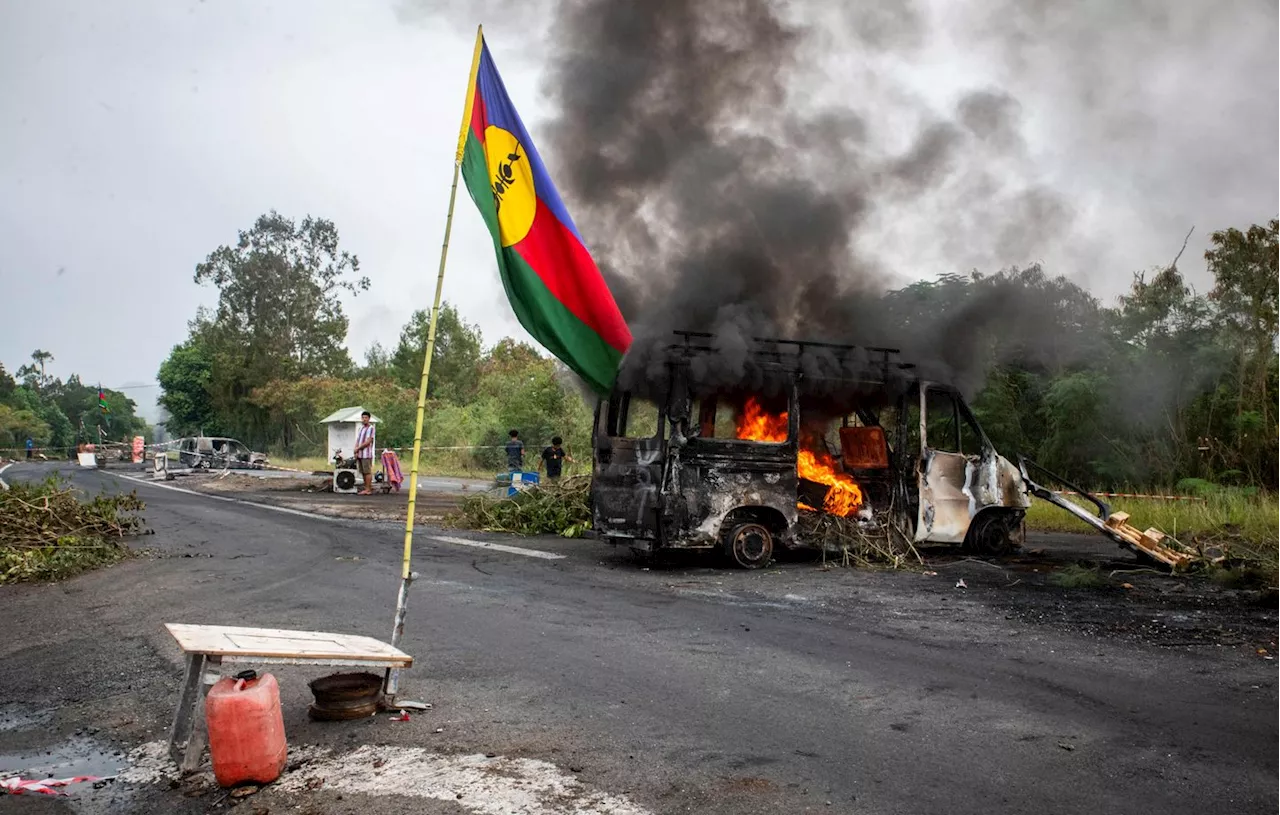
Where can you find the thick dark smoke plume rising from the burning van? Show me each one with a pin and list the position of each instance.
(723, 194)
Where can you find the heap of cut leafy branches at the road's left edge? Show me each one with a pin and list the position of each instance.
(48, 532)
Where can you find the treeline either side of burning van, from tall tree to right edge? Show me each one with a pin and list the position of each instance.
(1164, 386)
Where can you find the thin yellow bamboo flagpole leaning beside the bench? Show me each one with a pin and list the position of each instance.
(392, 684)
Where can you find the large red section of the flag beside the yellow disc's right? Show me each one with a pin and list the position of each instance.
(573, 277)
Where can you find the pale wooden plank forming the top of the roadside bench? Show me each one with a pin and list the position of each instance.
(284, 644)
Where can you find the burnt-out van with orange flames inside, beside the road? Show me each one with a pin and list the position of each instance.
(698, 466)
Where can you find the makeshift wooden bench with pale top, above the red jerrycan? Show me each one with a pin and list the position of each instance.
(213, 647)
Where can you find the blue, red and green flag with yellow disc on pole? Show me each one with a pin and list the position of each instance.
(555, 287)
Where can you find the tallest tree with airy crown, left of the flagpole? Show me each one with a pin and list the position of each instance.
(278, 314)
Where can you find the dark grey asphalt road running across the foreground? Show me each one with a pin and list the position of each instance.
(685, 690)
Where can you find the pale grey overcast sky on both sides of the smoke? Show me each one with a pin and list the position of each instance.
(140, 135)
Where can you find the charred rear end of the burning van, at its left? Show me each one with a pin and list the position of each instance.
(630, 450)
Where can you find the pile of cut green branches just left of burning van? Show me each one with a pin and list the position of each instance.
(546, 510)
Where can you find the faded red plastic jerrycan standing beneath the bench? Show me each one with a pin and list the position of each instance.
(246, 730)
